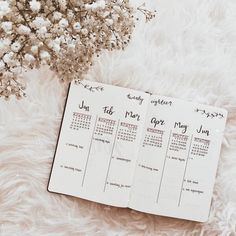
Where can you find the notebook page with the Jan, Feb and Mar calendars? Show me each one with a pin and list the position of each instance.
(97, 160)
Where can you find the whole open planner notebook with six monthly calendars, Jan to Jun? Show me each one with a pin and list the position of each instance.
(127, 148)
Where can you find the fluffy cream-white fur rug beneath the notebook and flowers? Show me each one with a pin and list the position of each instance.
(188, 51)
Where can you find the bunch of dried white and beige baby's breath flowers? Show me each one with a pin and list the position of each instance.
(64, 34)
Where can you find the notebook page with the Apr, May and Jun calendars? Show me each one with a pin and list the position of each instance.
(178, 159)
